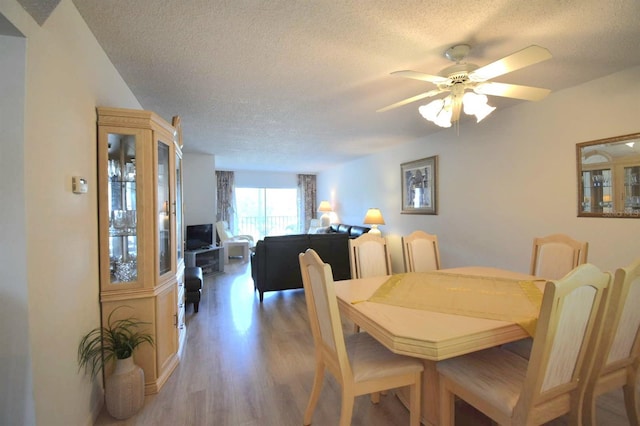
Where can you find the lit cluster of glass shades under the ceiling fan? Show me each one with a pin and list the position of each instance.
(440, 111)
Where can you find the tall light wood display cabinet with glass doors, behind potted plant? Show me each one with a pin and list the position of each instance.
(140, 227)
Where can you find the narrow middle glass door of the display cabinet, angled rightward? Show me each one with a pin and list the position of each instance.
(164, 208)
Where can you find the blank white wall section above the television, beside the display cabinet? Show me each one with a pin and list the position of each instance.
(199, 185)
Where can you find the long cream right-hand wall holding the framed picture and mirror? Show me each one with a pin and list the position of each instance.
(503, 181)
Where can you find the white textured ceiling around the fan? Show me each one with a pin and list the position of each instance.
(293, 85)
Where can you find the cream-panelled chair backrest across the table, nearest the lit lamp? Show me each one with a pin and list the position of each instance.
(369, 256)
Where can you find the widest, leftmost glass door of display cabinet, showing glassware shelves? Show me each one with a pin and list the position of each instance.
(122, 202)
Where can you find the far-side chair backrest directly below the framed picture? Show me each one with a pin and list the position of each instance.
(420, 251)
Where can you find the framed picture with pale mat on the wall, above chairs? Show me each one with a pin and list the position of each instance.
(419, 186)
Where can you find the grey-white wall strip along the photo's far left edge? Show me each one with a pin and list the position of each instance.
(16, 392)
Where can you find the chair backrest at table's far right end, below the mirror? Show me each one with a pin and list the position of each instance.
(555, 255)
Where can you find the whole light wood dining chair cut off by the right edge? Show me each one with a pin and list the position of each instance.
(617, 355)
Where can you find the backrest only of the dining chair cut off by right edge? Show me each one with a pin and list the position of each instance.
(619, 344)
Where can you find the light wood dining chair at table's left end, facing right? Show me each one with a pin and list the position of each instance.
(359, 363)
